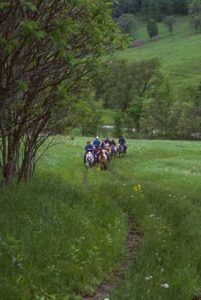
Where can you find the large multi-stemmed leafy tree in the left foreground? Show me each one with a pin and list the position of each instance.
(48, 49)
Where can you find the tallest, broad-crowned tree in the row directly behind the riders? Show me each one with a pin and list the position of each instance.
(126, 85)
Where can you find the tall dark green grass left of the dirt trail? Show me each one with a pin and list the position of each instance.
(56, 241)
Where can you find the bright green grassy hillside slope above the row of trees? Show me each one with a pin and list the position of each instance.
(179, 53)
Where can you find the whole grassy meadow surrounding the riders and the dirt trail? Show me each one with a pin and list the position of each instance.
(64, 232)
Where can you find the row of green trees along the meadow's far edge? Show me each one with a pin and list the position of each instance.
(147, 101)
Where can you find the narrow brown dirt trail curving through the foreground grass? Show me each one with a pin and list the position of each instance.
(117, 276)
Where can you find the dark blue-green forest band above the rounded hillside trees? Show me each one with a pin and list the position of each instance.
(156, 9)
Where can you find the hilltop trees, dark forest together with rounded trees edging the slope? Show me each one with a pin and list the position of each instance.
(155, 11)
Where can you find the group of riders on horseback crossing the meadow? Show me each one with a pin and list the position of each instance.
(103, 152)
